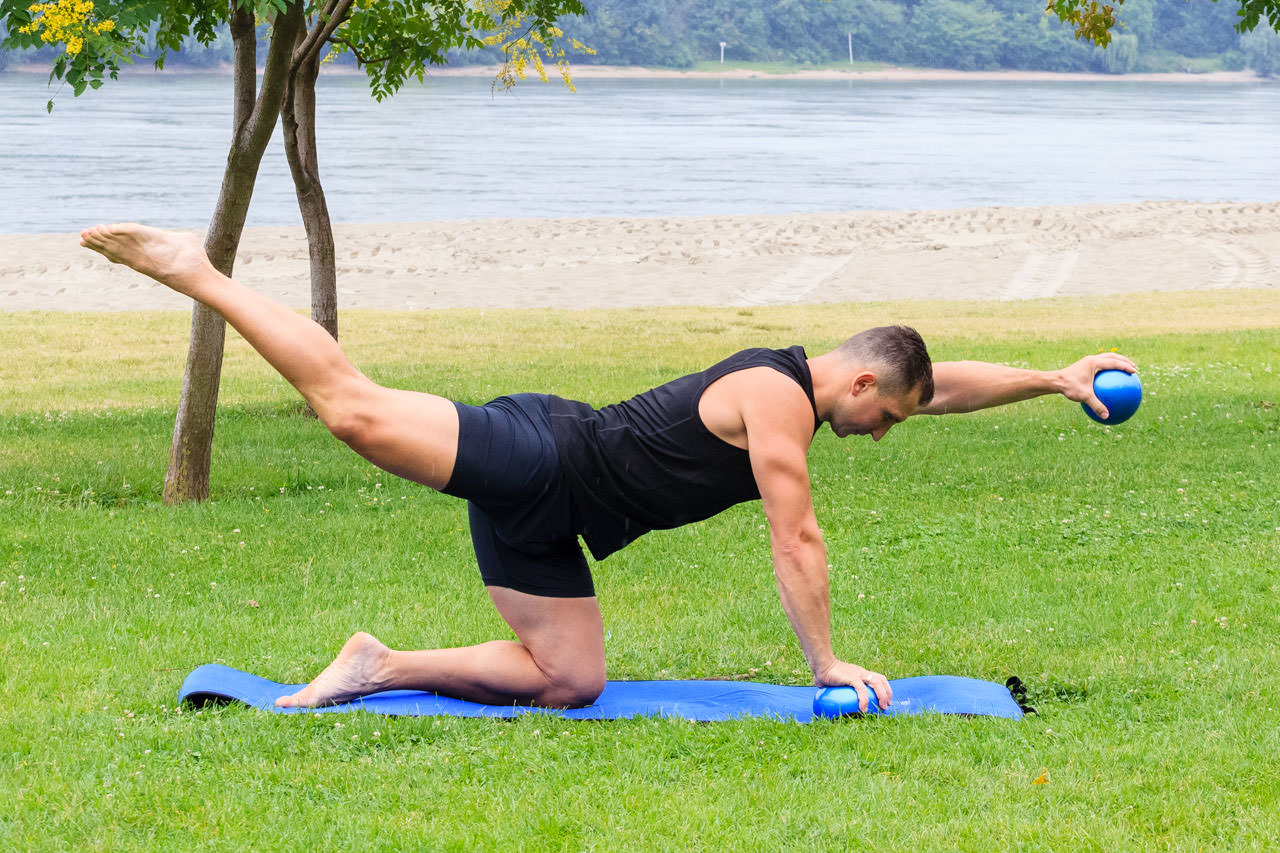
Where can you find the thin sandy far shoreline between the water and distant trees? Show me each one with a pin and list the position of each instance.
(890, 74)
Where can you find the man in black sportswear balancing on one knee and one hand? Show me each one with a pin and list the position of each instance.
(538, 472)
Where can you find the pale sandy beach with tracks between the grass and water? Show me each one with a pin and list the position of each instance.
(975, 254)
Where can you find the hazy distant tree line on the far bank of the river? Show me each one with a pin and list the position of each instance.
(967, 35)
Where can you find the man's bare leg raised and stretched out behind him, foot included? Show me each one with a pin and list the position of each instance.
(410, 435)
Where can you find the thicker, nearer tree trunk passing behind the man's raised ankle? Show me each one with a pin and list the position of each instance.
(191, 453)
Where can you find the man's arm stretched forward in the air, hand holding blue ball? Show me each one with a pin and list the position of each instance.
(970, 386)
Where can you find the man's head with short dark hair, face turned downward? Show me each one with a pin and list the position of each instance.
(888, 376)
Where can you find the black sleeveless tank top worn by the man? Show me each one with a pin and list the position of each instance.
(650, 463)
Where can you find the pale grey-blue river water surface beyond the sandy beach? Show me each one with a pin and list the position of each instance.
(152, 148)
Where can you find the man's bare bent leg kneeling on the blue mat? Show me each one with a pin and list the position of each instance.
(559, 662)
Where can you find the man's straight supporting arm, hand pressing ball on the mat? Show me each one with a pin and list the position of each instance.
(780, 428)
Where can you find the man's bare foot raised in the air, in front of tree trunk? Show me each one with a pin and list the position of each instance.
(173, 259)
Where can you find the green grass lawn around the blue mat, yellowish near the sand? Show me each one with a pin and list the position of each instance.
(1128, 574)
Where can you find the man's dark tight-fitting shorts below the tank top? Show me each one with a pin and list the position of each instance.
(523, 524)
